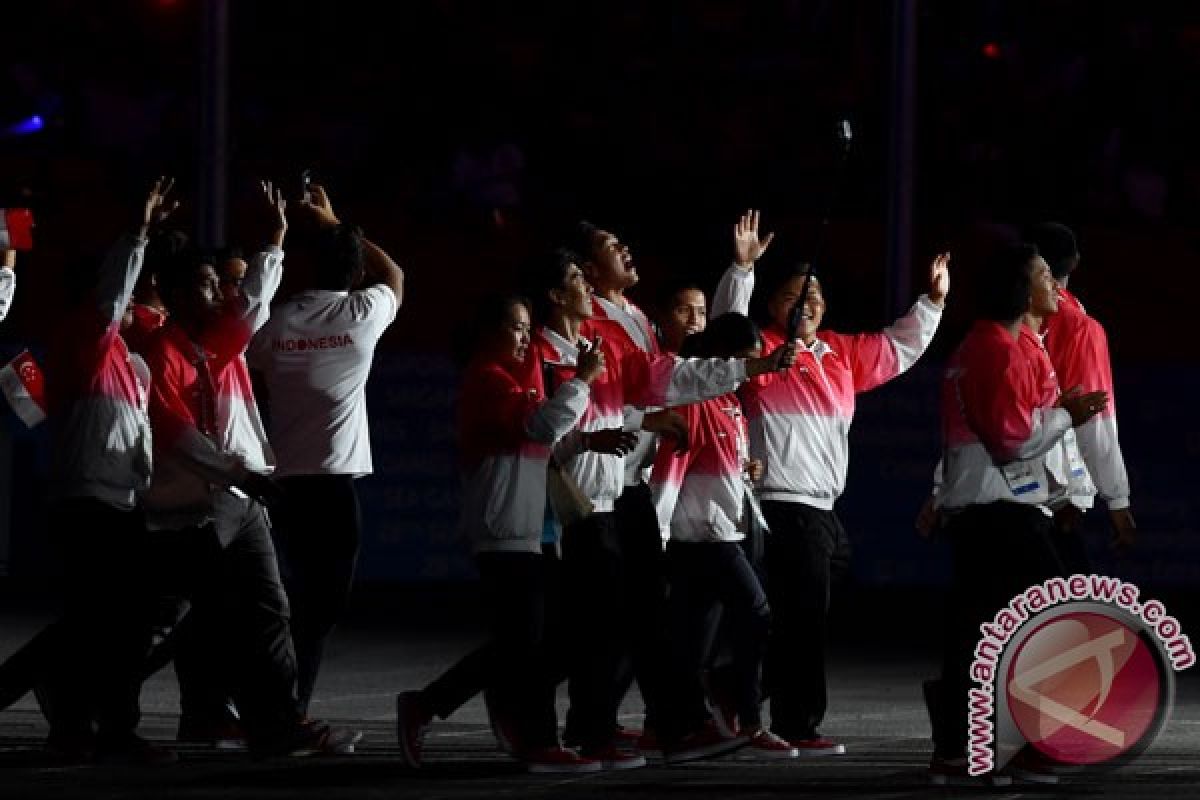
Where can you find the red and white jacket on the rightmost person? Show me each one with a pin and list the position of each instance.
(1079, 351)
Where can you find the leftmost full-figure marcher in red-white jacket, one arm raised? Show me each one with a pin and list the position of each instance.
(91, 661)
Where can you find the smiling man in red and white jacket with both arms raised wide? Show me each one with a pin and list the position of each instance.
(800, 424)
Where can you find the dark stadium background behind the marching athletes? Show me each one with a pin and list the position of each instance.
(461, 135)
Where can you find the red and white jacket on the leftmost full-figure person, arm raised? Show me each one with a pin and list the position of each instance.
(97, 393)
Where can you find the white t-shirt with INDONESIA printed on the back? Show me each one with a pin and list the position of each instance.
(315, 354)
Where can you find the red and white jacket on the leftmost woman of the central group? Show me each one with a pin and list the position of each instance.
(507, 428)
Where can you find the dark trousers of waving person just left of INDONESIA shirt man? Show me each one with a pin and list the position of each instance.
(233, 584)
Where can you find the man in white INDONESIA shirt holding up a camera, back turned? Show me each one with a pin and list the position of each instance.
(316, 353)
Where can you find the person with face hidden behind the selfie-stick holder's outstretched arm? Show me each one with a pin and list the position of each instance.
(706, 506)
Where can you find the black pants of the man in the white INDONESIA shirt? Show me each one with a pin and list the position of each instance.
(319, 530)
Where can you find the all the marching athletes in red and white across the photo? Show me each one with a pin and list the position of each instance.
(647, 501)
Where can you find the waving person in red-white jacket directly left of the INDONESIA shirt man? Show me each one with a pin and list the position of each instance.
(212, 483)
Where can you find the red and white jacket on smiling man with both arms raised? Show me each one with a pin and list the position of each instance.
(800, 420)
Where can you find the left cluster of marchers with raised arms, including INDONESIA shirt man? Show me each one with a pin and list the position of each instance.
(170, 498)
